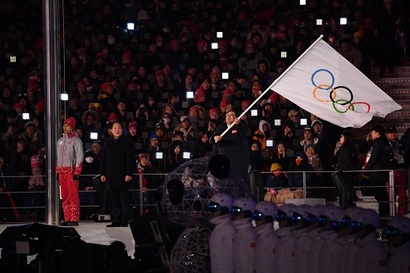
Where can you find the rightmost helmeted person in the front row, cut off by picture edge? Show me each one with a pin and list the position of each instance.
(398, 237)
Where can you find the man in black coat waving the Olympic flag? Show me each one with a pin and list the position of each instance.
(233, 144)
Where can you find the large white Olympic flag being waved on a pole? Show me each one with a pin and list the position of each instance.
(324, 83)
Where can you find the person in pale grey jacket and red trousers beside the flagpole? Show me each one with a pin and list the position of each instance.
(70, 156)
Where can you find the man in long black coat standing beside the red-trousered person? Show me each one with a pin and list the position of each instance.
(117, 167)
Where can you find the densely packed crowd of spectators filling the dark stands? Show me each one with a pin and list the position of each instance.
(163, 79)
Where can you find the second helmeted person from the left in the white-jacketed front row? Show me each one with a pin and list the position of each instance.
(244, 242)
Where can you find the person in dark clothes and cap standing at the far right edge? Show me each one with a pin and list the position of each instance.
(400, 168)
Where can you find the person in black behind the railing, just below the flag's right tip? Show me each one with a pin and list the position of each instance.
(378, 158)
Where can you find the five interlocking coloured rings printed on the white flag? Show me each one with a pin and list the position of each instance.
(347, 103)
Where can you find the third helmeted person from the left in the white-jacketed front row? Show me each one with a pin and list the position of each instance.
(264, 216)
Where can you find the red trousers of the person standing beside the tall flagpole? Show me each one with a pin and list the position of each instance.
(70, 197)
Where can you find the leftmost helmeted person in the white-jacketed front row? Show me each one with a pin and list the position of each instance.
(221, 240)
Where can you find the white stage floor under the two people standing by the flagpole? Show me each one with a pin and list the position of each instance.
(96, 233)
